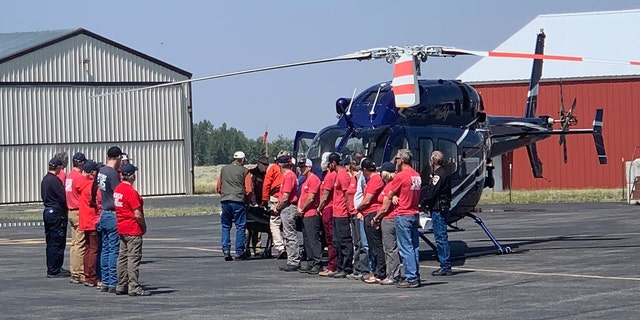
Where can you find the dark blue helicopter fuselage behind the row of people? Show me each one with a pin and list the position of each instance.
(450, 118)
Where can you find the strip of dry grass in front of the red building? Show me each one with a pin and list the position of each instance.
(552, 196)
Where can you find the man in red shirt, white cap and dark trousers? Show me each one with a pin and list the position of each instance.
(311, 223)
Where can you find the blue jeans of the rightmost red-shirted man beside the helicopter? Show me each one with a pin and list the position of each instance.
(409, 245)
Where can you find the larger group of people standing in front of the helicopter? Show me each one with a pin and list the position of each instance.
(366, 216)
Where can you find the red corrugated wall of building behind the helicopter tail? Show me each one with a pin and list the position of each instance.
(620, 100)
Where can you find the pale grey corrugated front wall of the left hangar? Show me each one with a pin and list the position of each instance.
(38, 119)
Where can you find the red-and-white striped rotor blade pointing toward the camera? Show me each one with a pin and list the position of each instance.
(405, 82)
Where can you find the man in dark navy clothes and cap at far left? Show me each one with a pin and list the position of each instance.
(55, 219)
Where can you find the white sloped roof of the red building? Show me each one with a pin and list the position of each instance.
(597, 35)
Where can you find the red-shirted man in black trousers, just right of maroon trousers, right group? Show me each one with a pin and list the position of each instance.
(342, 240)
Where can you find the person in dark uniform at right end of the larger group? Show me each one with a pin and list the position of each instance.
(436, 197)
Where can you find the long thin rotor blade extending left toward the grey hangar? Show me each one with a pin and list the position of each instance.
(361, 55)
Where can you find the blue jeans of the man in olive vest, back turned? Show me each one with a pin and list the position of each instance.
(233, 212)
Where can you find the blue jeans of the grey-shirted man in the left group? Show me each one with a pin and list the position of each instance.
(109, 253)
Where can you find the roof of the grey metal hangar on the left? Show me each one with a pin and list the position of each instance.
(13, 45)
